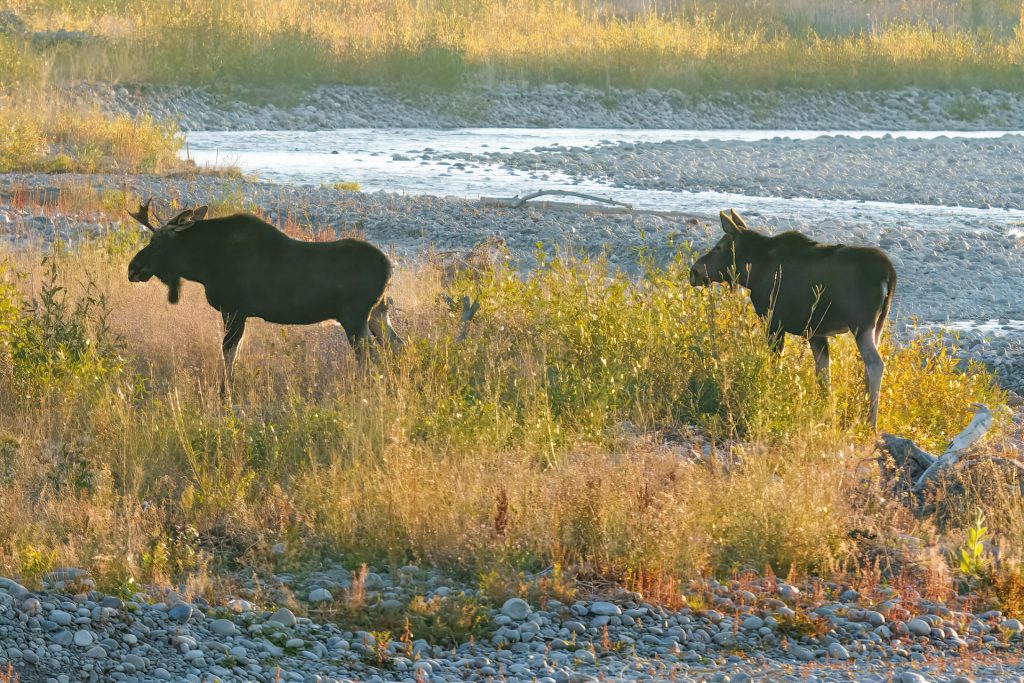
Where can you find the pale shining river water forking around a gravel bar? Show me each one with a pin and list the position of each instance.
(394, 161)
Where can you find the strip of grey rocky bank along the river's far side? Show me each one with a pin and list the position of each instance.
(510, 106)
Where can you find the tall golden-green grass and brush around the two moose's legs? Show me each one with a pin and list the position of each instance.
(587, 420)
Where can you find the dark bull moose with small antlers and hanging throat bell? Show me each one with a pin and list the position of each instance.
(252, 270)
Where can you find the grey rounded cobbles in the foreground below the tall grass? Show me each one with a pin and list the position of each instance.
(732, 632)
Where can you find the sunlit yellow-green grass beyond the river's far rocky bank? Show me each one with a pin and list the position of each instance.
(448, 44)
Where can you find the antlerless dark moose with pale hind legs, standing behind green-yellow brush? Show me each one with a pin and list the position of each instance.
(808, 289)
